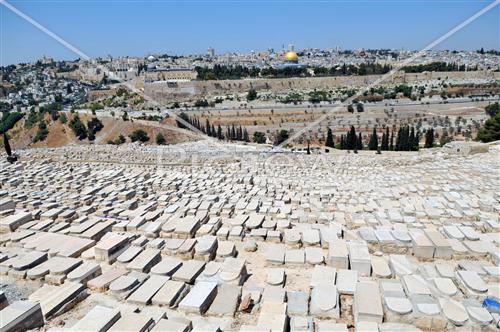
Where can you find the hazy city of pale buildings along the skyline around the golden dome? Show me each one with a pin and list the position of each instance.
(25, 85)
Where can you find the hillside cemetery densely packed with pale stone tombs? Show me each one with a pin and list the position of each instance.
(104, 238)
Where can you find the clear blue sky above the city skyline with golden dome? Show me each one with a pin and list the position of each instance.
(140, 27)
